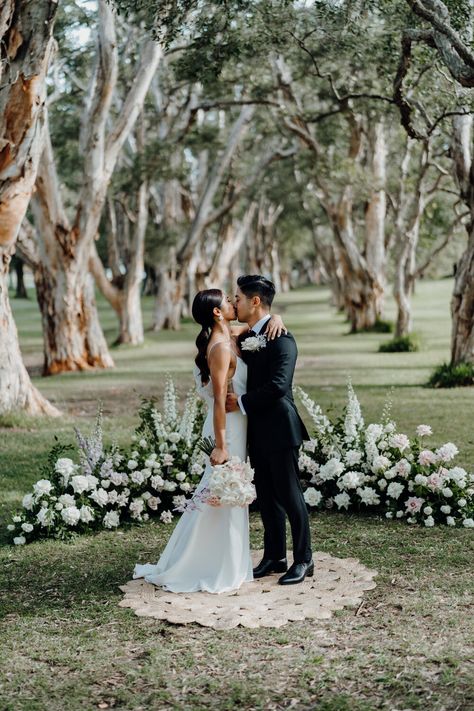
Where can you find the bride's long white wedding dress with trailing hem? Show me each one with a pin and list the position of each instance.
(209, 548)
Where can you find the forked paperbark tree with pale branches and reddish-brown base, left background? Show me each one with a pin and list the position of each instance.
(73, 337)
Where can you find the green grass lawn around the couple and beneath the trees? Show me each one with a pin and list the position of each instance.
(66, 644)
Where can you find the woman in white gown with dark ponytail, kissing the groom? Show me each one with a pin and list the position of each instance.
(209, 547)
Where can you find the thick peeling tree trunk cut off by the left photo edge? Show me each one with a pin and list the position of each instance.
(25, 49)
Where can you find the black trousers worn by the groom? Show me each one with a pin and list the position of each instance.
(279, 494)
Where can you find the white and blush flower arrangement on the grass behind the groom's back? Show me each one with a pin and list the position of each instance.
(348, 465)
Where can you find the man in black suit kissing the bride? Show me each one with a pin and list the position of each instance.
(275, 433)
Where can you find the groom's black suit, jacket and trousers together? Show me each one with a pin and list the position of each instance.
(275, 433)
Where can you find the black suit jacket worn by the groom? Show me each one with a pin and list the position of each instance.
(273, 420)
